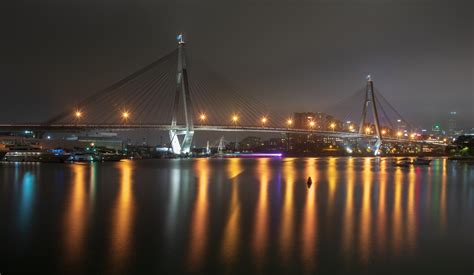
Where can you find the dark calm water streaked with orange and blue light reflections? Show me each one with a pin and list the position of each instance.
(234, 215)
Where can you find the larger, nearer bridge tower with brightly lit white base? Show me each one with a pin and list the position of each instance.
(182, 91)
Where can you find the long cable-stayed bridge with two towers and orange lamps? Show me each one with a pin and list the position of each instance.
(144, 100)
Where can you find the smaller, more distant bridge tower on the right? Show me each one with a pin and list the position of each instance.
(370, 100)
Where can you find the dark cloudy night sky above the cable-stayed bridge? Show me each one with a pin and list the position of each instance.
(294, 55)
